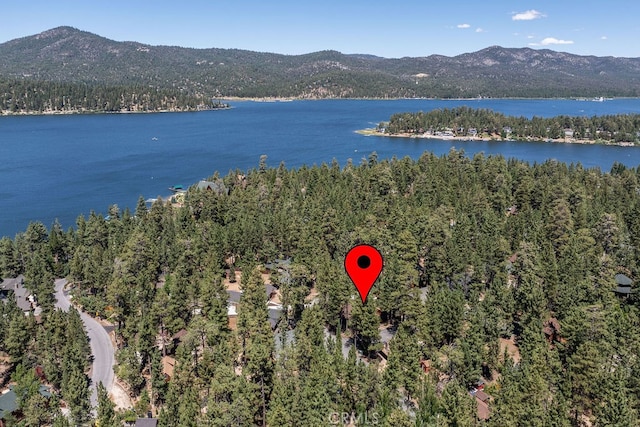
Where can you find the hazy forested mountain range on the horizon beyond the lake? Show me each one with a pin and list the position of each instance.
(69, 55)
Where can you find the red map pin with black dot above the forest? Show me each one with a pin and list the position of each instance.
(363, 264)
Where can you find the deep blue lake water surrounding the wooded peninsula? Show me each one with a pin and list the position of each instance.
(63, 166)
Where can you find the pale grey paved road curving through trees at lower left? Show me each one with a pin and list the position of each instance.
(101, 347)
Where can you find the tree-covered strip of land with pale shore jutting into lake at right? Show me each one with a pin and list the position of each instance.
(469, 124)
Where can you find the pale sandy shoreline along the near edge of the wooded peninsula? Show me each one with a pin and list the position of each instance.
(497, 138)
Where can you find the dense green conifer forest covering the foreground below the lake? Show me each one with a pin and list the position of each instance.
(496, 272)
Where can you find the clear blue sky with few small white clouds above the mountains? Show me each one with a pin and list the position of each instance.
(390, 29)
